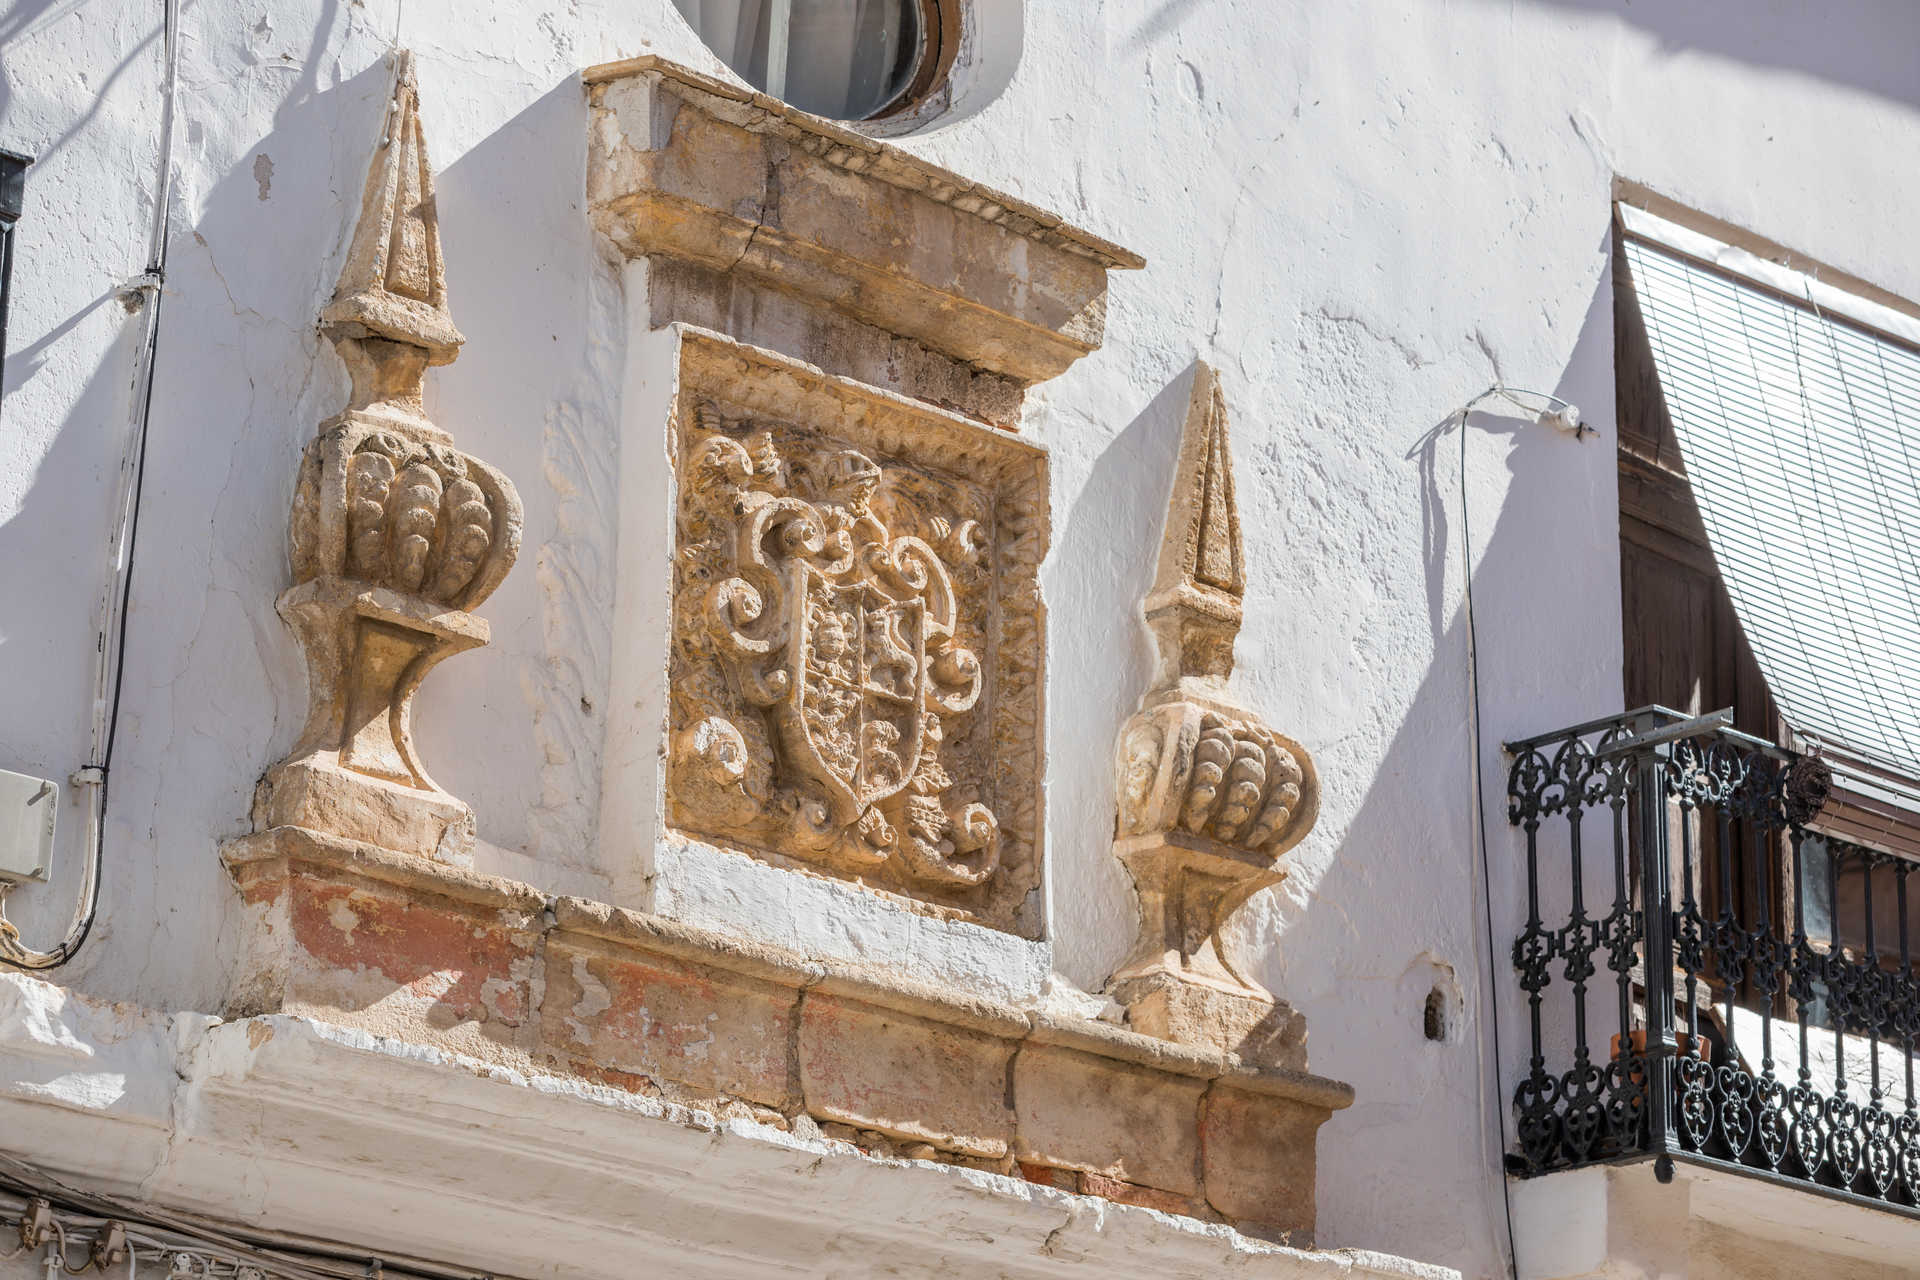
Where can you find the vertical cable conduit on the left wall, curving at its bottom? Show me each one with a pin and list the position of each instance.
(110, 646)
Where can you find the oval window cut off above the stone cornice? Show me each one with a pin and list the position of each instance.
(848, 60)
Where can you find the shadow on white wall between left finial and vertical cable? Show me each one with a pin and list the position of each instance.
(214, 688)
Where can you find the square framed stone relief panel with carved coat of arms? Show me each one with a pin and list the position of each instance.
(855, 678)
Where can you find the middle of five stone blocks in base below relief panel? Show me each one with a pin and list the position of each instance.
(905, 1076)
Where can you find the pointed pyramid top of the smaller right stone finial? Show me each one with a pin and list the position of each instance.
(1195, 605)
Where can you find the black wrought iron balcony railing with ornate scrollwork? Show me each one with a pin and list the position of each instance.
(1710, 978)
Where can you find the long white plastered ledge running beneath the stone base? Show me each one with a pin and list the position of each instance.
(272, 1122)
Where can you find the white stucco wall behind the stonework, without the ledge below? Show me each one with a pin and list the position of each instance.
(1358, 212)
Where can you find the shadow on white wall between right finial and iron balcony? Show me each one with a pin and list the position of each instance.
(1387, 953)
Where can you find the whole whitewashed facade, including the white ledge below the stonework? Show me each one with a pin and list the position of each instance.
(1358, 214)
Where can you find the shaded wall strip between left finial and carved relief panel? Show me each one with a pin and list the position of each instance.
(537, 394)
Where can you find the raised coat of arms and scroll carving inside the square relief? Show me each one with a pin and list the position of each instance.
(827, 661)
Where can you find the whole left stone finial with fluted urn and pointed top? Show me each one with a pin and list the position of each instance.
(395, 533)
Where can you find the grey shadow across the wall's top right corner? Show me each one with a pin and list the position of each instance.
(1854, 43)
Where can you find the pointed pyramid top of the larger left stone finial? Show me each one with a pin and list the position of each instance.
(391, 314)
